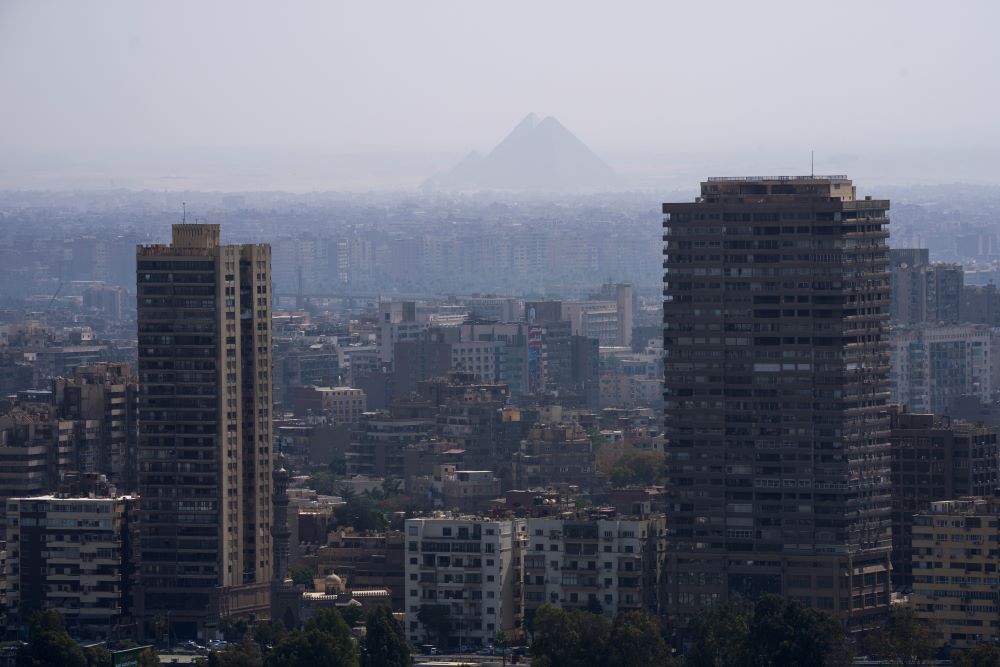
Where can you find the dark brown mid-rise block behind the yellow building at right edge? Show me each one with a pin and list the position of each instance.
(933, 459)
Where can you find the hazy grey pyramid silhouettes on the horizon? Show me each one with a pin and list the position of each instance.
(537, 156)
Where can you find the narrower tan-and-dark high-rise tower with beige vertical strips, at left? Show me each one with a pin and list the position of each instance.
(204, 444)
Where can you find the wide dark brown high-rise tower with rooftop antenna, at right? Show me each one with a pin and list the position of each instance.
(776, 382)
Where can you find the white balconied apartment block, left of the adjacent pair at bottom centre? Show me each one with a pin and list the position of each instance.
(465, 569)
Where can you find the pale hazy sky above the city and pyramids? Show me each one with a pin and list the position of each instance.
(196, 83)
